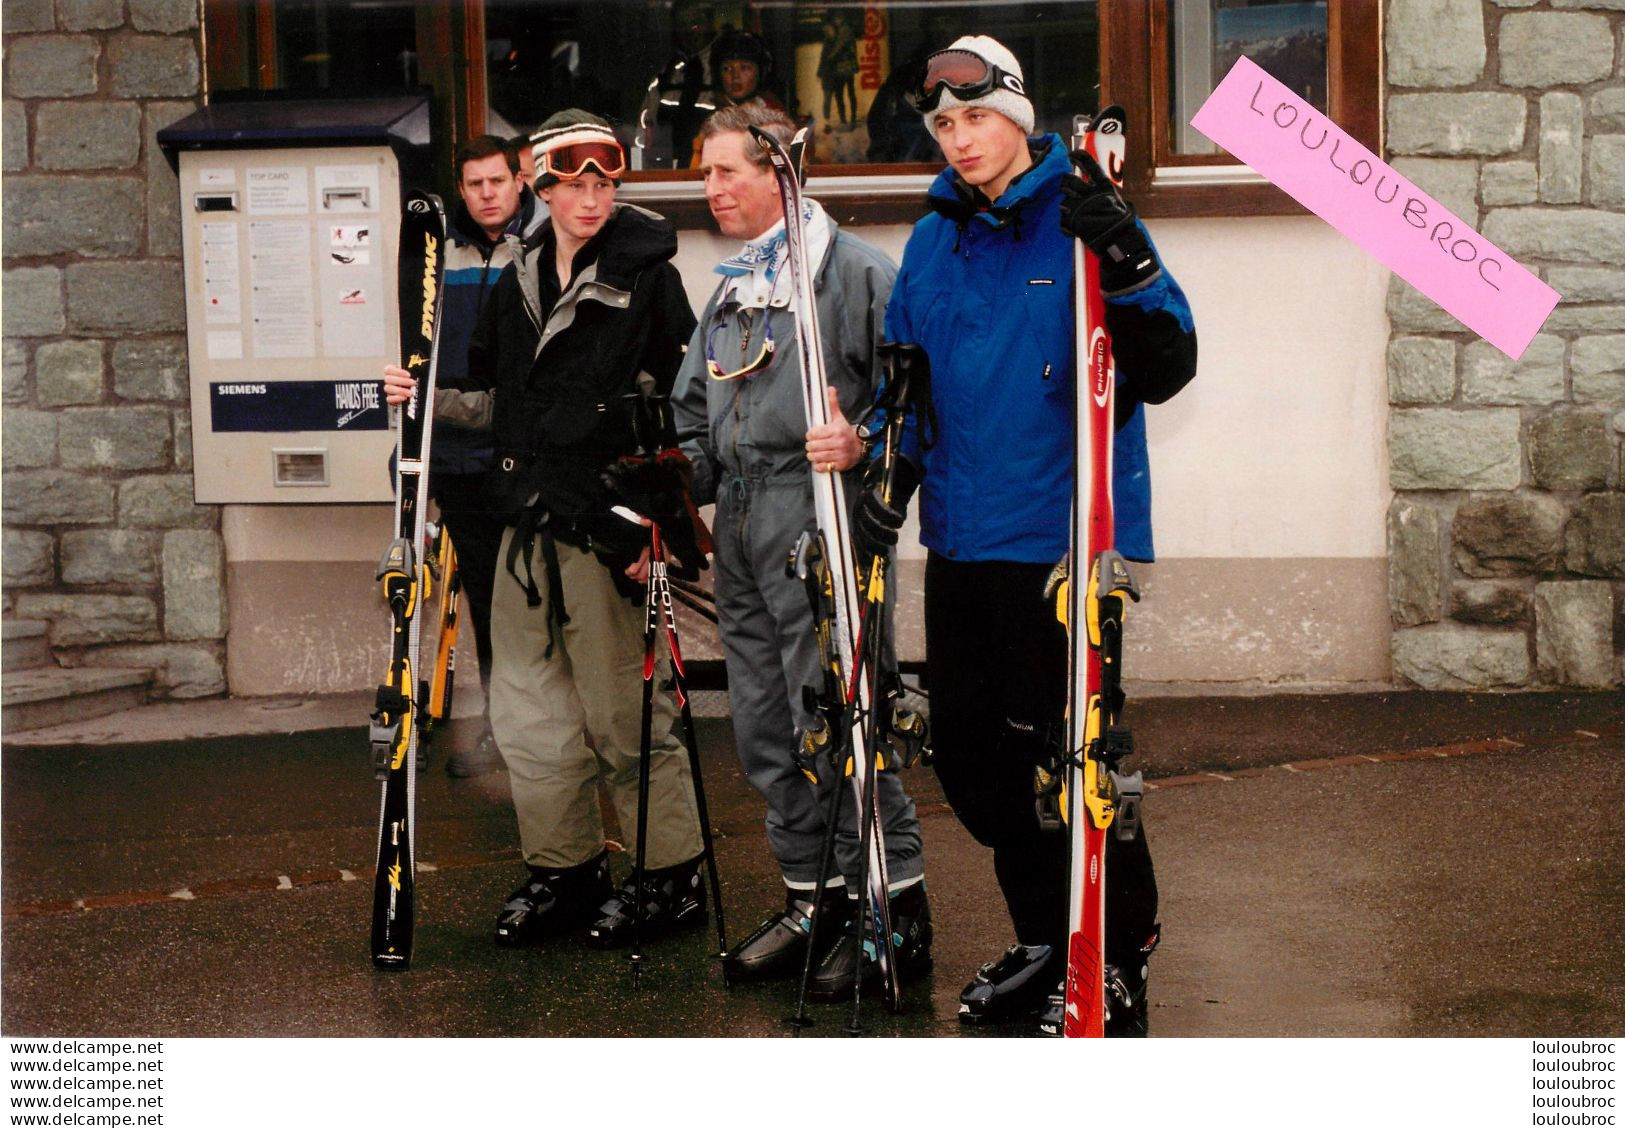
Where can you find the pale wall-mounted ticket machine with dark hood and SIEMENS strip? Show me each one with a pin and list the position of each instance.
(290, 215)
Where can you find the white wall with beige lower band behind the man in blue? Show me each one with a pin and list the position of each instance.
(1270, 472)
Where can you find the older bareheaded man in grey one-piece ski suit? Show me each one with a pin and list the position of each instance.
(743, 423)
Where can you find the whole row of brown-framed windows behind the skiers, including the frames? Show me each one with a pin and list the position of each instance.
(654, 69)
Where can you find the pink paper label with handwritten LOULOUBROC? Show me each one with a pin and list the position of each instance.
(1306, 155)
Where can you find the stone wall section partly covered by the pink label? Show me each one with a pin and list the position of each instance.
(1507, 531)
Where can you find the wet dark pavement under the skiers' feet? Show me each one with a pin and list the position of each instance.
(1377, 864)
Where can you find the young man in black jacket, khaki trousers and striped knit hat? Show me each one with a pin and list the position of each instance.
(573, 332)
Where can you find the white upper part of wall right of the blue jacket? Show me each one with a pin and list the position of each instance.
(1278, 449)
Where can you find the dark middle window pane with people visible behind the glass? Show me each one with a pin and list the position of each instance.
(657, 67)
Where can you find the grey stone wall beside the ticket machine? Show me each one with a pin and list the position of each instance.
(102, 536)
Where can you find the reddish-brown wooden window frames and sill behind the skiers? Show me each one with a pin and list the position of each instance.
(241, 51)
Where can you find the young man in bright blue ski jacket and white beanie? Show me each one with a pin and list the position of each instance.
(987, 290)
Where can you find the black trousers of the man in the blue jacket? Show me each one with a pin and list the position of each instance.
(995, 653)
